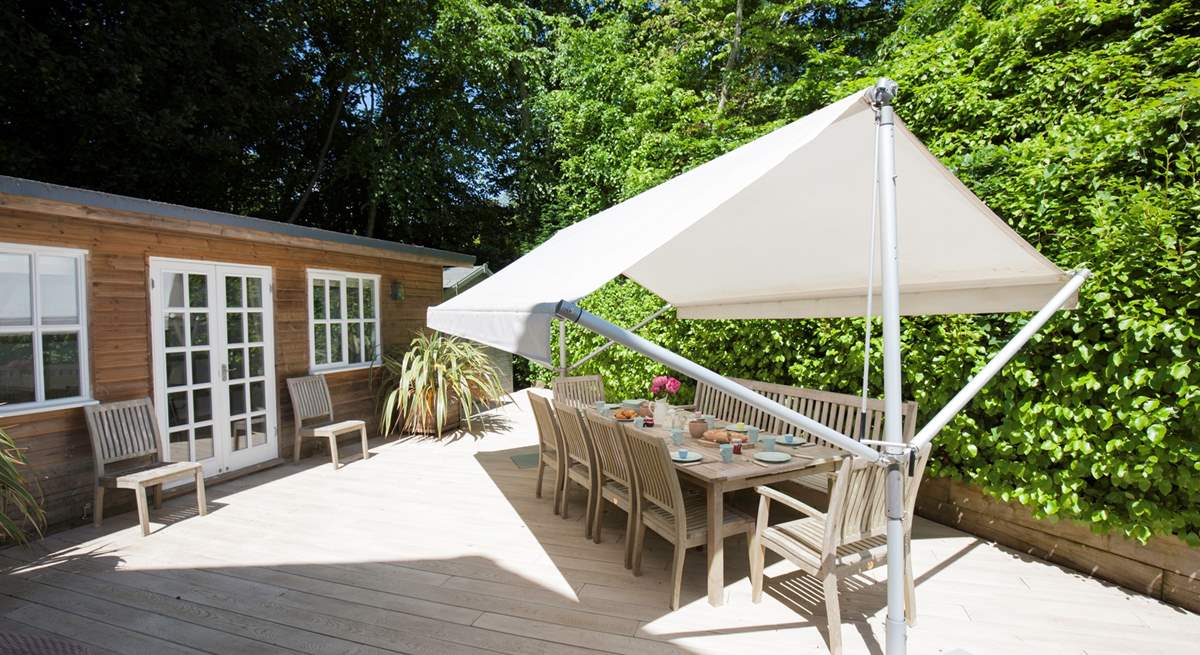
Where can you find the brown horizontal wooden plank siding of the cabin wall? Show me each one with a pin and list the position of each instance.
(119, 309)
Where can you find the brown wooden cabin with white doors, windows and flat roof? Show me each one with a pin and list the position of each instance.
(109, 298)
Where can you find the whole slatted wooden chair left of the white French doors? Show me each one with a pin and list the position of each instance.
(127, 431)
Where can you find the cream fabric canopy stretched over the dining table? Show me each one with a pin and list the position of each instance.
(778, 229)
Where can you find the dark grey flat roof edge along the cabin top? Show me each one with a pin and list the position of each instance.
(47, 191)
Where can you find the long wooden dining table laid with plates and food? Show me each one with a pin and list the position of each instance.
(718, 478)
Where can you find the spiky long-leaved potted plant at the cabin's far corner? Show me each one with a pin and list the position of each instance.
(437, 384)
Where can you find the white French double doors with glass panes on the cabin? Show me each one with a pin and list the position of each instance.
(214, 363)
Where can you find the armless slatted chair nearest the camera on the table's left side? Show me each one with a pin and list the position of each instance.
(680, 519)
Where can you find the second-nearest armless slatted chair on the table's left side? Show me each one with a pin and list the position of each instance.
(616, 482)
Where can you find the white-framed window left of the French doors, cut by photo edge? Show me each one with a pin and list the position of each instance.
(37, 329)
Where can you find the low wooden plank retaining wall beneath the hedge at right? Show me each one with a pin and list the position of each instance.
(1166, 568)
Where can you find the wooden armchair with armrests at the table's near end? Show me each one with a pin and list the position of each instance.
(850, 538)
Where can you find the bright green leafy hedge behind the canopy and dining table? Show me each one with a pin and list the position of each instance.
(1077, 123)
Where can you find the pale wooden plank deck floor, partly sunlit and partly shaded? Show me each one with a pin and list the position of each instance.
(442, 548)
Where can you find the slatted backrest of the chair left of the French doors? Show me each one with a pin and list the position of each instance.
(124, 430)
